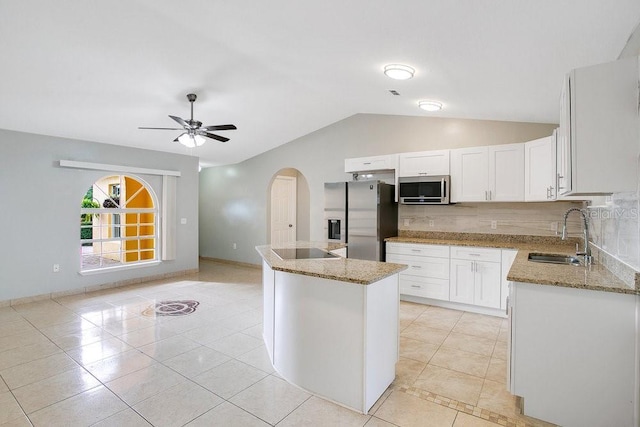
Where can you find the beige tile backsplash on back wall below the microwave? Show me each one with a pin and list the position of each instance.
(537, 219)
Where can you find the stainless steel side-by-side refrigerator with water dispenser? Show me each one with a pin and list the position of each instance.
(361, 214)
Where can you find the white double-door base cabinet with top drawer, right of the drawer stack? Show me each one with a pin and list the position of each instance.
(476, 276)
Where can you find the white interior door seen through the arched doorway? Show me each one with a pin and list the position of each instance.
(283, 210)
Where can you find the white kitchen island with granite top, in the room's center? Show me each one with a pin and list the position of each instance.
(331, 325)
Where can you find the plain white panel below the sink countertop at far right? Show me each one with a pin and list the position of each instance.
(574, 354)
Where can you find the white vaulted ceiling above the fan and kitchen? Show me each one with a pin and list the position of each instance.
(96, 70)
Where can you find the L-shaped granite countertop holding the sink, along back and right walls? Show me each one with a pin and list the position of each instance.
(594, 277)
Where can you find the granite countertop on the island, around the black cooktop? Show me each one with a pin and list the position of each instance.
(341, 269)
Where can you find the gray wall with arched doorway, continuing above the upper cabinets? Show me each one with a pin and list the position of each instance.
(234, 198)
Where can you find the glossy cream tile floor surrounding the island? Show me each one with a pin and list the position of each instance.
(95, 359)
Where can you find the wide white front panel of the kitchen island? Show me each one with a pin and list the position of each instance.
(319, 336)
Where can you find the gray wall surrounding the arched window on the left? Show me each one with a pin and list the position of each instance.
(40, 214)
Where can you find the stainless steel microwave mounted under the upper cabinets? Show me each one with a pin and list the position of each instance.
(425, 190)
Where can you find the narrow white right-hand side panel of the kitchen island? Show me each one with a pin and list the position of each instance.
(382, 337)
